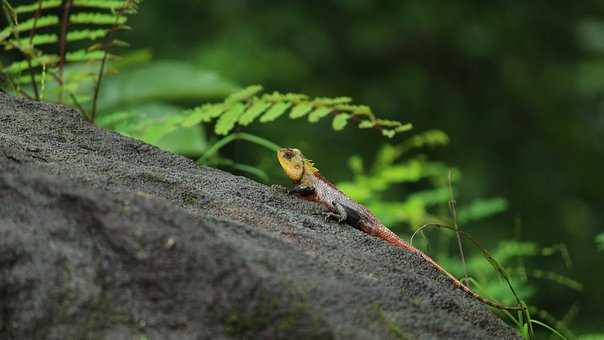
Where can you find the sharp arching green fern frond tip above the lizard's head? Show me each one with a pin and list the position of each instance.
(246, 106)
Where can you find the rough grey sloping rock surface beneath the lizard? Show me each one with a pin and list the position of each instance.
(102, 236)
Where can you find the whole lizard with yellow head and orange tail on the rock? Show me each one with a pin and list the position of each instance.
(311, 186)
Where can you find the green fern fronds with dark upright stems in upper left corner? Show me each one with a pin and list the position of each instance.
(41, 66)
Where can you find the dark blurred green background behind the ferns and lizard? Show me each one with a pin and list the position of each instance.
(518, 87)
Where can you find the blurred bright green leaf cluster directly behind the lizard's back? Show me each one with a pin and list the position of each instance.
(391, 171)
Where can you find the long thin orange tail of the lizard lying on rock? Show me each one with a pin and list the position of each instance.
(392, 238)
